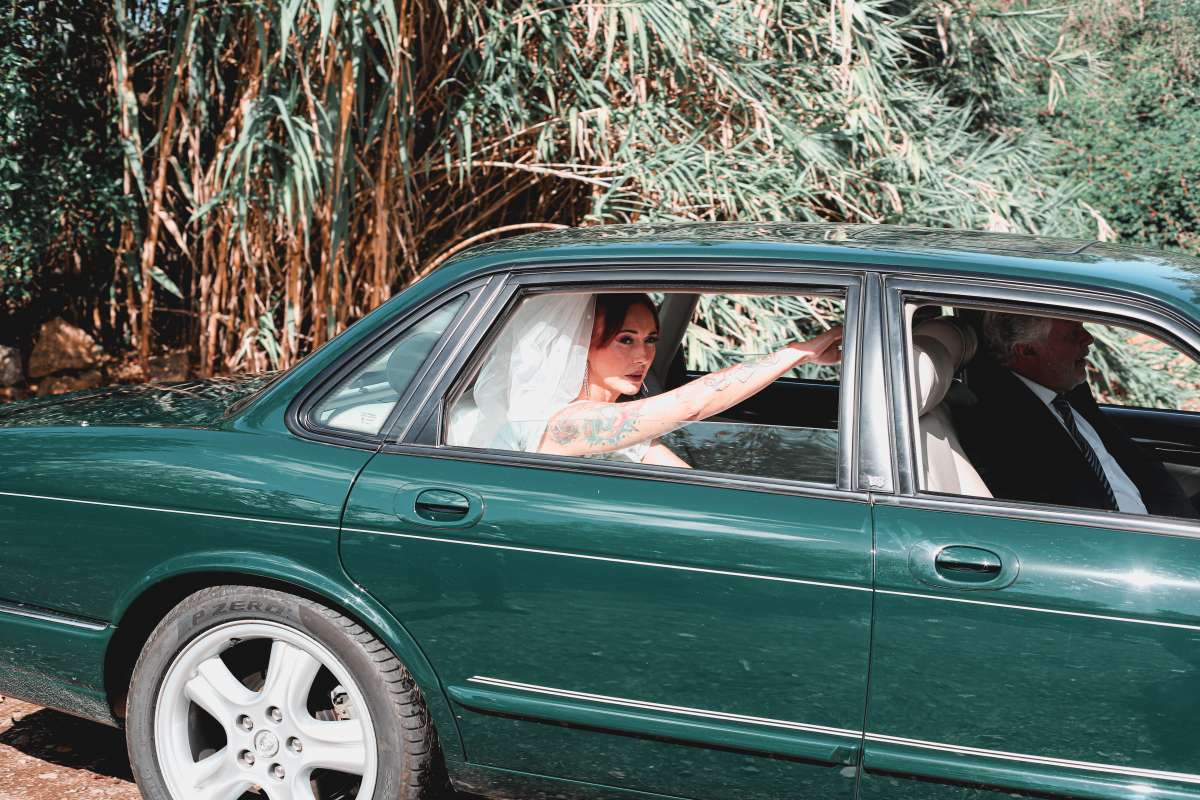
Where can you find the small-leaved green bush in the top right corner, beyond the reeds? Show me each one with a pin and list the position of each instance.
(1133, 140)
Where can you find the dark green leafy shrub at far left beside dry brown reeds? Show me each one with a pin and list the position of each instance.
(59, 194)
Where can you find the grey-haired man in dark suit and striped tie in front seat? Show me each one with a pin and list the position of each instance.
(1037, 434)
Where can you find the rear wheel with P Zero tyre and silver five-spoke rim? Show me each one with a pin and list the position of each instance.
(249, 689)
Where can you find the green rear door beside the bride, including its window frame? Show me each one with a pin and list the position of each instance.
(619, 625)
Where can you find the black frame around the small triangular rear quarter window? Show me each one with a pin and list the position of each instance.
(299, 417)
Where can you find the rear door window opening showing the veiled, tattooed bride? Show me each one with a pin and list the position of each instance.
(784, 426)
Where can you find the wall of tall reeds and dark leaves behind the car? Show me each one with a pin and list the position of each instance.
(274, 169)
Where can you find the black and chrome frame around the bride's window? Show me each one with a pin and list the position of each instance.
(423, 436)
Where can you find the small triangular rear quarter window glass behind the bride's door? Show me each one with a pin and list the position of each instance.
(362, 402)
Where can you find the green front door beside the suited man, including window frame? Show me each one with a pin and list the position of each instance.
(1024, 649)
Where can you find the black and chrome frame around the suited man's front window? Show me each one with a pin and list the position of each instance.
(1131, 312)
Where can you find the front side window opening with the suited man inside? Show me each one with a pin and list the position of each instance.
(1061, 411)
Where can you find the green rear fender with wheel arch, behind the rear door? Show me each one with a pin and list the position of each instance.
(109, 514)
